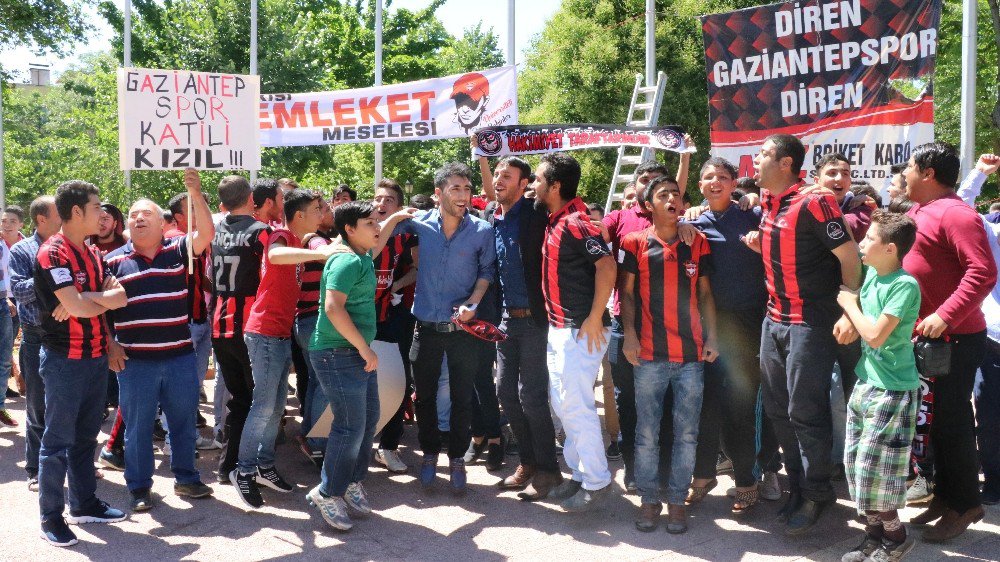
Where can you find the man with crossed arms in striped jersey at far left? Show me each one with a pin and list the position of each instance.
(74, 293)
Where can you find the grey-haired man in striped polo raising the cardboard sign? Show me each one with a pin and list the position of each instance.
(158, 366)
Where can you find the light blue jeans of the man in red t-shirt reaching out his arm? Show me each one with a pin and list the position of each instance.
(270, 359)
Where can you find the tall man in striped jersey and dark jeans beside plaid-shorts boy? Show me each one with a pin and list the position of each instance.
(801, 330)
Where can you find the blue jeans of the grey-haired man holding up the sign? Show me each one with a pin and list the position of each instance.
(173, 384)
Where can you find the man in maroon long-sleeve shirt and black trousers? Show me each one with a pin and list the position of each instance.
(952, 262)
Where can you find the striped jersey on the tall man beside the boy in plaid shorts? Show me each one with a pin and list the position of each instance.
(797, 233)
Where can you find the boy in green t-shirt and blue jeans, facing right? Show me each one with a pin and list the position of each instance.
(345, 365)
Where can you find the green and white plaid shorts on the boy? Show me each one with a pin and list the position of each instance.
(880, 427)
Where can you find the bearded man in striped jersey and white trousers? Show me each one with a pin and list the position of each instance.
(578, 274)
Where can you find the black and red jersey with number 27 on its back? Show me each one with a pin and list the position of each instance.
(237, 250)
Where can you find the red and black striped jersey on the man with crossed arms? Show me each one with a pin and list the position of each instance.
(62, 264)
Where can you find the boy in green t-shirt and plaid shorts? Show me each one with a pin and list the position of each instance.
(881, 413)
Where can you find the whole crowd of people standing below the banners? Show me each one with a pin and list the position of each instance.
(775, 326)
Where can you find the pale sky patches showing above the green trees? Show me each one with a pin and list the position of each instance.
(530, 17)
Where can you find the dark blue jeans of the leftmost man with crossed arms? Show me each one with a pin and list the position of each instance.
(75, 390)
